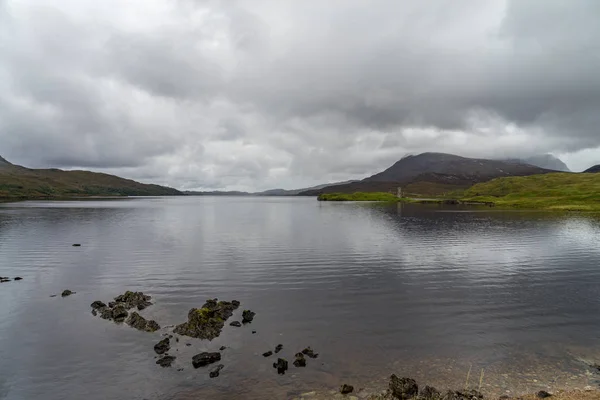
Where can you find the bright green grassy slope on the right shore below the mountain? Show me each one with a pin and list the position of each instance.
(558, 191)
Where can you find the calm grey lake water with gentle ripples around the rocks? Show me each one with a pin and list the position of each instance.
(419, 291)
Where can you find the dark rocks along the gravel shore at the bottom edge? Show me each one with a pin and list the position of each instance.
(407, 389)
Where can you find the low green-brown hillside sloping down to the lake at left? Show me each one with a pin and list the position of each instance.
(20, 182)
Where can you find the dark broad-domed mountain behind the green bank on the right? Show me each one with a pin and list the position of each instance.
(434, 174)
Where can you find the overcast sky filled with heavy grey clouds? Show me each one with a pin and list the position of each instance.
(254, 95)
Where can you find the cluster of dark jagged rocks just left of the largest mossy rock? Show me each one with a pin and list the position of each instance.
(118, 310)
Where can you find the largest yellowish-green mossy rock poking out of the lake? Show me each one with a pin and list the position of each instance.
(208, 321)
